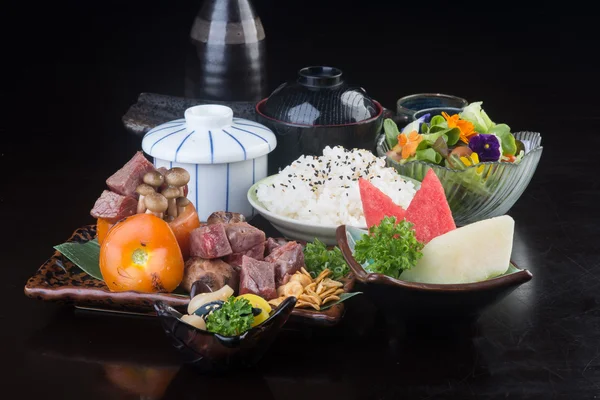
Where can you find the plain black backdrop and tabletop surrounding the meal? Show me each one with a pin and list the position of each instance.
(73, 68)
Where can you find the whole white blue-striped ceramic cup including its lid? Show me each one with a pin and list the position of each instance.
(223, 155)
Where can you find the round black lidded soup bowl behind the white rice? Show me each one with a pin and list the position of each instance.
(317, 110)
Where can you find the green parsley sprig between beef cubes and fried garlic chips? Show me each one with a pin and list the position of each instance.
(317, 257)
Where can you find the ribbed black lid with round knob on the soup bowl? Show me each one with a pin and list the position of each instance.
(319, 97)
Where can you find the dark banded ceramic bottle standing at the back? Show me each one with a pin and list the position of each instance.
(227, 55)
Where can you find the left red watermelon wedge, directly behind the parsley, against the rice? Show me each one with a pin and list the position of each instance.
(376, 204)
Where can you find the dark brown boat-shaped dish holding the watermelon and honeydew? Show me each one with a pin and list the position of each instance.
(413, 300)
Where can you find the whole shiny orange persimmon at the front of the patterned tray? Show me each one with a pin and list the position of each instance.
(141, 253)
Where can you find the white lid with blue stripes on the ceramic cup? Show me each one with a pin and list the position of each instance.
(209, 134)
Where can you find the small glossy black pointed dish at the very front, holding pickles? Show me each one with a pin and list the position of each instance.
(212, 352)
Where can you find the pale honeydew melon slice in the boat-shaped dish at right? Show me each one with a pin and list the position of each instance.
(472, 253)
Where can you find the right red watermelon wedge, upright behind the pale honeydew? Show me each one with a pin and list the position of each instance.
(429, 210)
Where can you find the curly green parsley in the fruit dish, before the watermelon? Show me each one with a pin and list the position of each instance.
(390, 248)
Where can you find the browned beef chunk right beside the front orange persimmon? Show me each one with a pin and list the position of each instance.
(213, 273)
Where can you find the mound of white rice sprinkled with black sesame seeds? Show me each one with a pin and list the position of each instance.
(324, 190)
